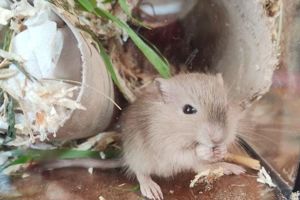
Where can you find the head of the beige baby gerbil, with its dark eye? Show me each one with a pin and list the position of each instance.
(194, 110)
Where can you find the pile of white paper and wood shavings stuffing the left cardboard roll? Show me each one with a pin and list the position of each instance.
(44, 105)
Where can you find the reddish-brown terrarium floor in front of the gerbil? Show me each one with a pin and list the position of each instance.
(79, 184)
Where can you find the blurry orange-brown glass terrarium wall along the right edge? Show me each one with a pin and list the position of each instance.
(274, 120)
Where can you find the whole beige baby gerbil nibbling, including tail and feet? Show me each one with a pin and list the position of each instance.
(179, 124)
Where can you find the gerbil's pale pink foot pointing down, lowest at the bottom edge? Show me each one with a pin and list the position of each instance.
(149, 188)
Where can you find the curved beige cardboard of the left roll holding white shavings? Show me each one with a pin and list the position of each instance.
(80, 62)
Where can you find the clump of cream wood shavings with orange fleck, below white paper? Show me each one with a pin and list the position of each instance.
(45, 106)
